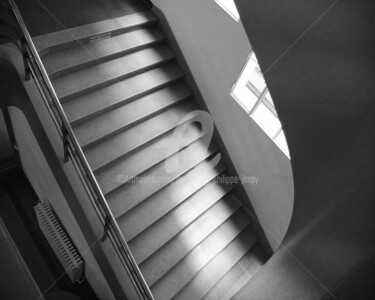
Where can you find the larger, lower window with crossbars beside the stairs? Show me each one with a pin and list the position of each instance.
(251, 92)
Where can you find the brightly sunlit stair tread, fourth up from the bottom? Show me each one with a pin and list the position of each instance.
(175, 250)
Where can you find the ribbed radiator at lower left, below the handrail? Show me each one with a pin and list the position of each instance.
(59, 241)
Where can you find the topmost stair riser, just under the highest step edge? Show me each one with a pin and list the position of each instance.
(86, 40)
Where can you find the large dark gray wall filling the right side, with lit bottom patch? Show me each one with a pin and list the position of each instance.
(322, 81)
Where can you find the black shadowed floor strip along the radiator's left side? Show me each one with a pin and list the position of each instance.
(17, 201)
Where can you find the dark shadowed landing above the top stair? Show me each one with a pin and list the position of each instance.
(45, 16)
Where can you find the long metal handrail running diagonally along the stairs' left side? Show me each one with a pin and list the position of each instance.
(73, 150)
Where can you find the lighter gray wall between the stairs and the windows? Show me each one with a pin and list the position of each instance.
(216, 47)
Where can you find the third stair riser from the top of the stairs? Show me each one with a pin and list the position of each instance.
(95, 87)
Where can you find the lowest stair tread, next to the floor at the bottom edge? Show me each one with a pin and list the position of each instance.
(248, 265)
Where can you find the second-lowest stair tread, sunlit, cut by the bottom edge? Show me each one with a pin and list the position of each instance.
(218, 266)
